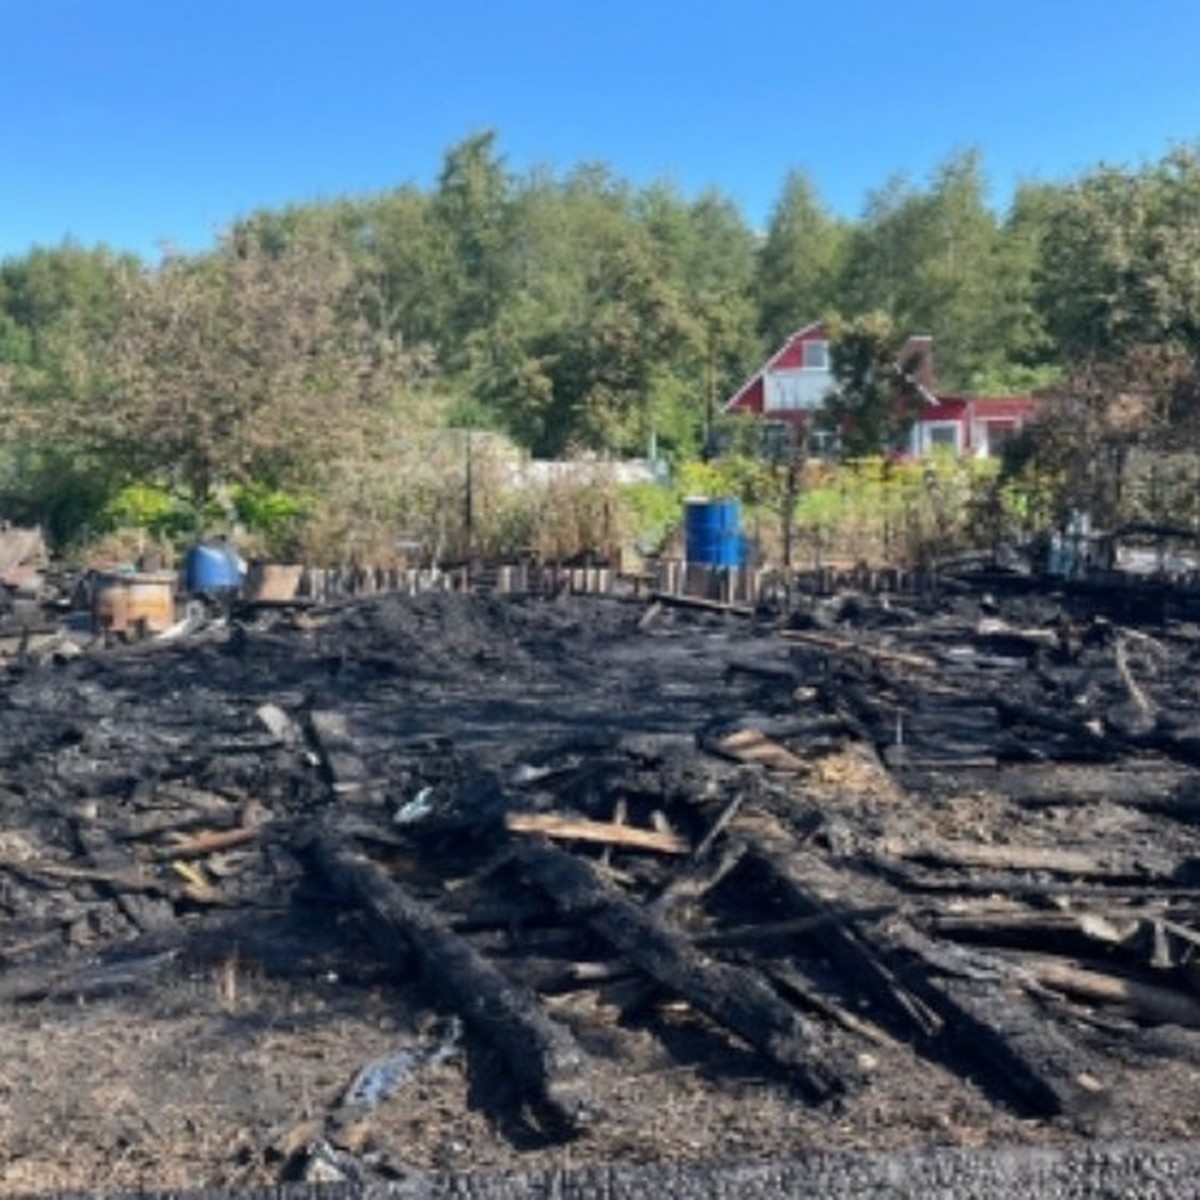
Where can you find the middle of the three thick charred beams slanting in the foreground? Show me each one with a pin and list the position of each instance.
(735, 999)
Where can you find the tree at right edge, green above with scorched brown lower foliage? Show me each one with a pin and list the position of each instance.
(1120, 295)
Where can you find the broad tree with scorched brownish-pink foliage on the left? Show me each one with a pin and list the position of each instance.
(250, 365)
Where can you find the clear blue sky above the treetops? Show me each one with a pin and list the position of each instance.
(140, 122)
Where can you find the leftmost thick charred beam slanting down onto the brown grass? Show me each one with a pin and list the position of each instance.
(542, 1055)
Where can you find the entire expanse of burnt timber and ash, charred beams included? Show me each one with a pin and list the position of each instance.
(451, 884)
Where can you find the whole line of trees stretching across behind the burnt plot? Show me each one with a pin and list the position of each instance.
(315, 346)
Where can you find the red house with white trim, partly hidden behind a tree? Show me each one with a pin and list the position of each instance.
(796, 380)
